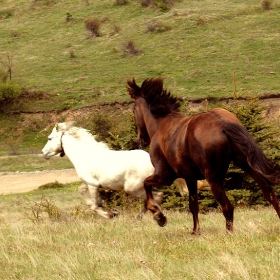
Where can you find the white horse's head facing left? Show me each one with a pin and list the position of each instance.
(54, 144)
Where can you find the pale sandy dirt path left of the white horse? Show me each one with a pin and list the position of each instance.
(20, 182)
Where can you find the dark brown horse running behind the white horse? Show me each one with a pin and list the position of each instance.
(195, 147)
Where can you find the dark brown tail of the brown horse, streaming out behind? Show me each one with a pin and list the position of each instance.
(254, 154)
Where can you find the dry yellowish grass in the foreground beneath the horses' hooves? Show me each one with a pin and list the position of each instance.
(81, 246)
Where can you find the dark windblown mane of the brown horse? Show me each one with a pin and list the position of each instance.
(160, 101)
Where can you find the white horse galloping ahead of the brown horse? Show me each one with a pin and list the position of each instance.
(98, 166)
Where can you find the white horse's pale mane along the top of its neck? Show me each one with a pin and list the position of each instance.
(82, 133)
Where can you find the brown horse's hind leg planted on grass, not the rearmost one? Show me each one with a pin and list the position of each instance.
(227, 208)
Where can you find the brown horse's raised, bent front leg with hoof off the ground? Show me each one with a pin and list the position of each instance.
(151, 203)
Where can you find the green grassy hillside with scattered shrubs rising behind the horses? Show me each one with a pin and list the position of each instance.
(194, 45)
